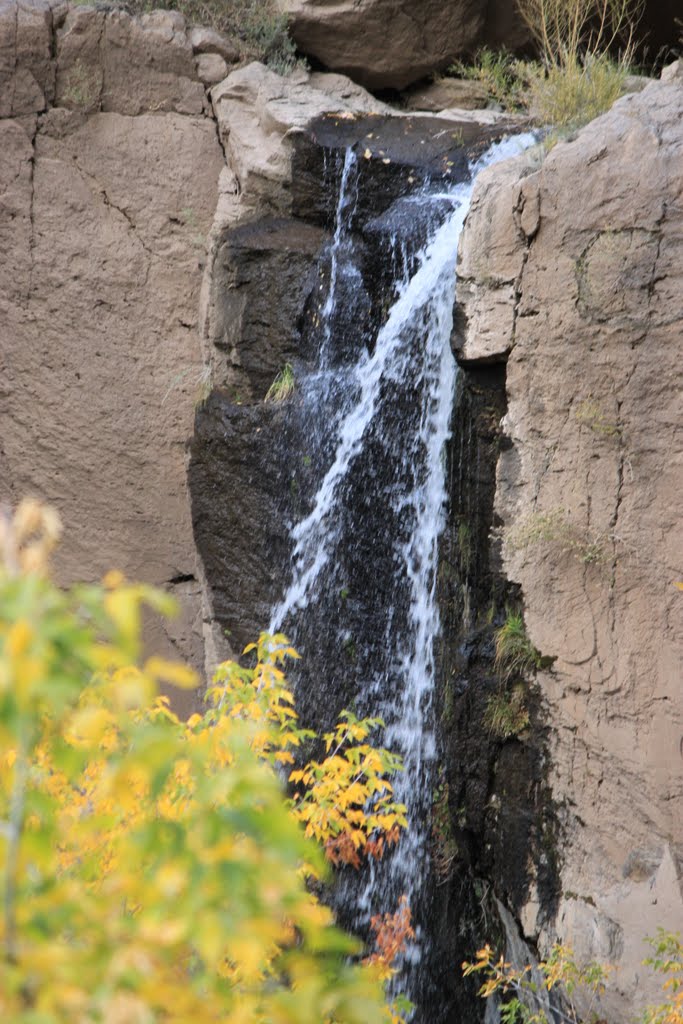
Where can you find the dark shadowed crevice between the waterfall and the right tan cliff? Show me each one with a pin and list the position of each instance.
(504, 825)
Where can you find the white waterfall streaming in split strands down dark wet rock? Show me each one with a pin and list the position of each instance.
(375, 415)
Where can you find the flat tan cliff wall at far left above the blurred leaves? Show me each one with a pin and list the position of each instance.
(109, 170)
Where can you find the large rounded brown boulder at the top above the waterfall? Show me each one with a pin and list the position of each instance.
(386, 45)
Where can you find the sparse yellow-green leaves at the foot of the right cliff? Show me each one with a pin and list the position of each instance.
(525, 993)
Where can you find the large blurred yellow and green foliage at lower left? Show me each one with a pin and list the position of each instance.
(152, 870)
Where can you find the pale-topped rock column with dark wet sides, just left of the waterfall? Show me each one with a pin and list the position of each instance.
(284, 142)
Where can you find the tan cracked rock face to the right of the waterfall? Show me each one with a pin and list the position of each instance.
(574, 271)
